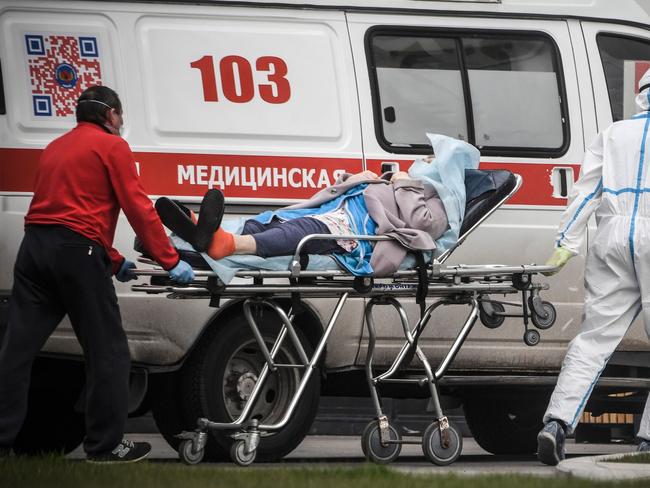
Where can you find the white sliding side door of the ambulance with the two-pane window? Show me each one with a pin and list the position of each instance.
(508, 87)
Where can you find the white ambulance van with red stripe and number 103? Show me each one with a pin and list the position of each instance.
(268, 101)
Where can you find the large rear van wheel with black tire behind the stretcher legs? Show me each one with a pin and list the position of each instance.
(209, 387)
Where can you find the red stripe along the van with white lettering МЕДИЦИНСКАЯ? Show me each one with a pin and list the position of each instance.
(260, 177)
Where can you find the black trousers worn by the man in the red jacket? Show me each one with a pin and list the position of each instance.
(60, 272)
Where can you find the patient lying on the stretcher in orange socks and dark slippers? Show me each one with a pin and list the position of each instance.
(407, 207)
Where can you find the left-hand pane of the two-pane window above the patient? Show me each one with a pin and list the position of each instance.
(420, 88)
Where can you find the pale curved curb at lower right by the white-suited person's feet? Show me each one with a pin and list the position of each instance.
(598, 468)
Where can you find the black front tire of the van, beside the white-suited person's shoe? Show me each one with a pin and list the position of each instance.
(506, 422)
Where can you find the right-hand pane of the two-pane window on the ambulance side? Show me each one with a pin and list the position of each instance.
(514, 90)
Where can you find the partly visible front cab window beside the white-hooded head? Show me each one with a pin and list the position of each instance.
(624, 62)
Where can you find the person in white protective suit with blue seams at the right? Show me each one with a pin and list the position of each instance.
(615, 183)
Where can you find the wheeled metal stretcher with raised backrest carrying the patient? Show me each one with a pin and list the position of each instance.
(430, 281)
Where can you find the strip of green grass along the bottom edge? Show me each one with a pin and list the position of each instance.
(58, 472)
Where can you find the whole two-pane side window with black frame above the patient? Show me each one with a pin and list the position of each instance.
(501, 92)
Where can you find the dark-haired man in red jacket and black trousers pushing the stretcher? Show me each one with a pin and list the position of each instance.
(65, 266)
